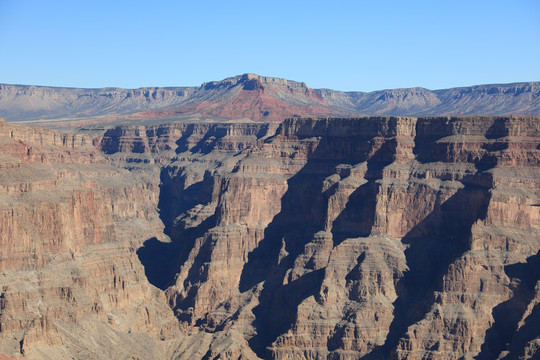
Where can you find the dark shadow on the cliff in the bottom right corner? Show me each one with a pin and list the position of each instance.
(502, 335)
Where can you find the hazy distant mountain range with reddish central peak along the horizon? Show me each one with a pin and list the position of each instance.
(257, 98)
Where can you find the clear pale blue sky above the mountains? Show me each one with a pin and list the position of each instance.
(342, 45)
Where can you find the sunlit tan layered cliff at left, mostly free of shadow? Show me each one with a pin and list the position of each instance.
(71, 283)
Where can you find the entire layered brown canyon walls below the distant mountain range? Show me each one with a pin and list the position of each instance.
(315, 238)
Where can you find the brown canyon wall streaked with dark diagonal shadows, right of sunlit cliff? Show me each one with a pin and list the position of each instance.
(344, 238)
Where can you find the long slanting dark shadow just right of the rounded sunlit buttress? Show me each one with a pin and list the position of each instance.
(435, 243)
